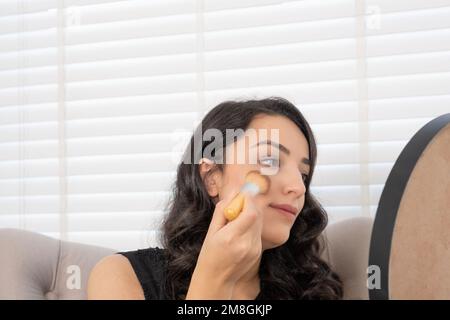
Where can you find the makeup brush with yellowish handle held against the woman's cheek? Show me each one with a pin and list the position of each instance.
(255, 183)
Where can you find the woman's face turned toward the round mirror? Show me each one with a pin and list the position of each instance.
(283, 161)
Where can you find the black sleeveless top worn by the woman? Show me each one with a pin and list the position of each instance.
(149, 266)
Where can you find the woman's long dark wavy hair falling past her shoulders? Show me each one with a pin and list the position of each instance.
(293, 270)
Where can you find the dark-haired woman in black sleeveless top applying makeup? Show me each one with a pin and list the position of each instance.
(270, 251)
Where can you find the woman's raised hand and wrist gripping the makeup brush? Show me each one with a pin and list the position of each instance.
(229, 251)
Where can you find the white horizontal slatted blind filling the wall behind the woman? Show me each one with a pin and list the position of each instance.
(94, 96)
